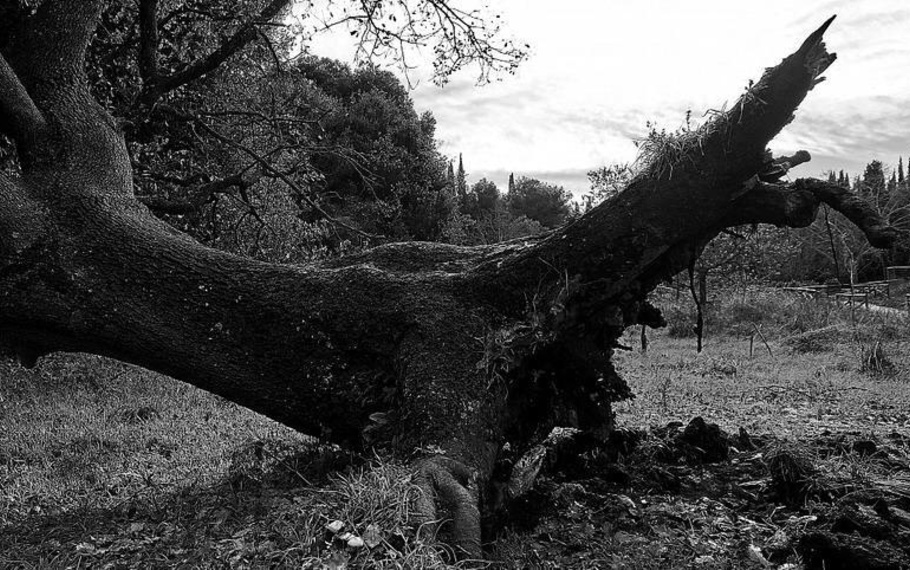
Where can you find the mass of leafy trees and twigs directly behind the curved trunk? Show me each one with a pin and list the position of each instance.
(285, 147)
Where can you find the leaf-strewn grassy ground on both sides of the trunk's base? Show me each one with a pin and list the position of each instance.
(103, 465)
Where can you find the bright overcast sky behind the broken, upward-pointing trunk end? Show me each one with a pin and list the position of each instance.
(601, 69)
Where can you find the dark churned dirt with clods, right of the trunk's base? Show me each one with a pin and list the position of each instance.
(691, 497)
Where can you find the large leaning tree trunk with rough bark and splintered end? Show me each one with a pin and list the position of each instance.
(435, 353)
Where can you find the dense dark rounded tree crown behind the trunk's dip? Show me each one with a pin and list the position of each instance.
(377, 157)
